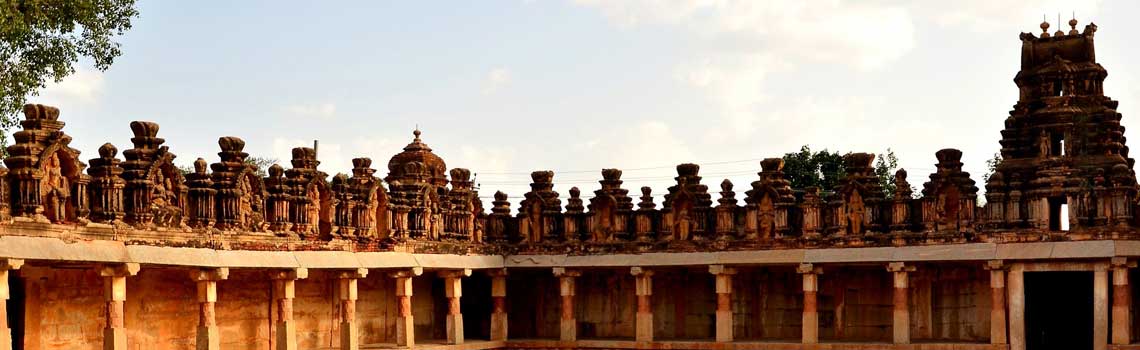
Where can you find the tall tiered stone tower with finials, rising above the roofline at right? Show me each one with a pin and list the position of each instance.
(1063, 150)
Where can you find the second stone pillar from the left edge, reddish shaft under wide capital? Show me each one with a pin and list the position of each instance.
(115, 294)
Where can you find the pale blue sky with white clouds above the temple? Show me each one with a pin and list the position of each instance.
(506, 88)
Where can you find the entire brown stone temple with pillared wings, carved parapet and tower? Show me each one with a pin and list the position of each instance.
(129, 253)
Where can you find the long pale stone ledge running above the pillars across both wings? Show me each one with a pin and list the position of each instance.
(53, 249)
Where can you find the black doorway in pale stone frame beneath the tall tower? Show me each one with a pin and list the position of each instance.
(1058, 311)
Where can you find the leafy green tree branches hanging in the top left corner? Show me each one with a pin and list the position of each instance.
(43, 40)
